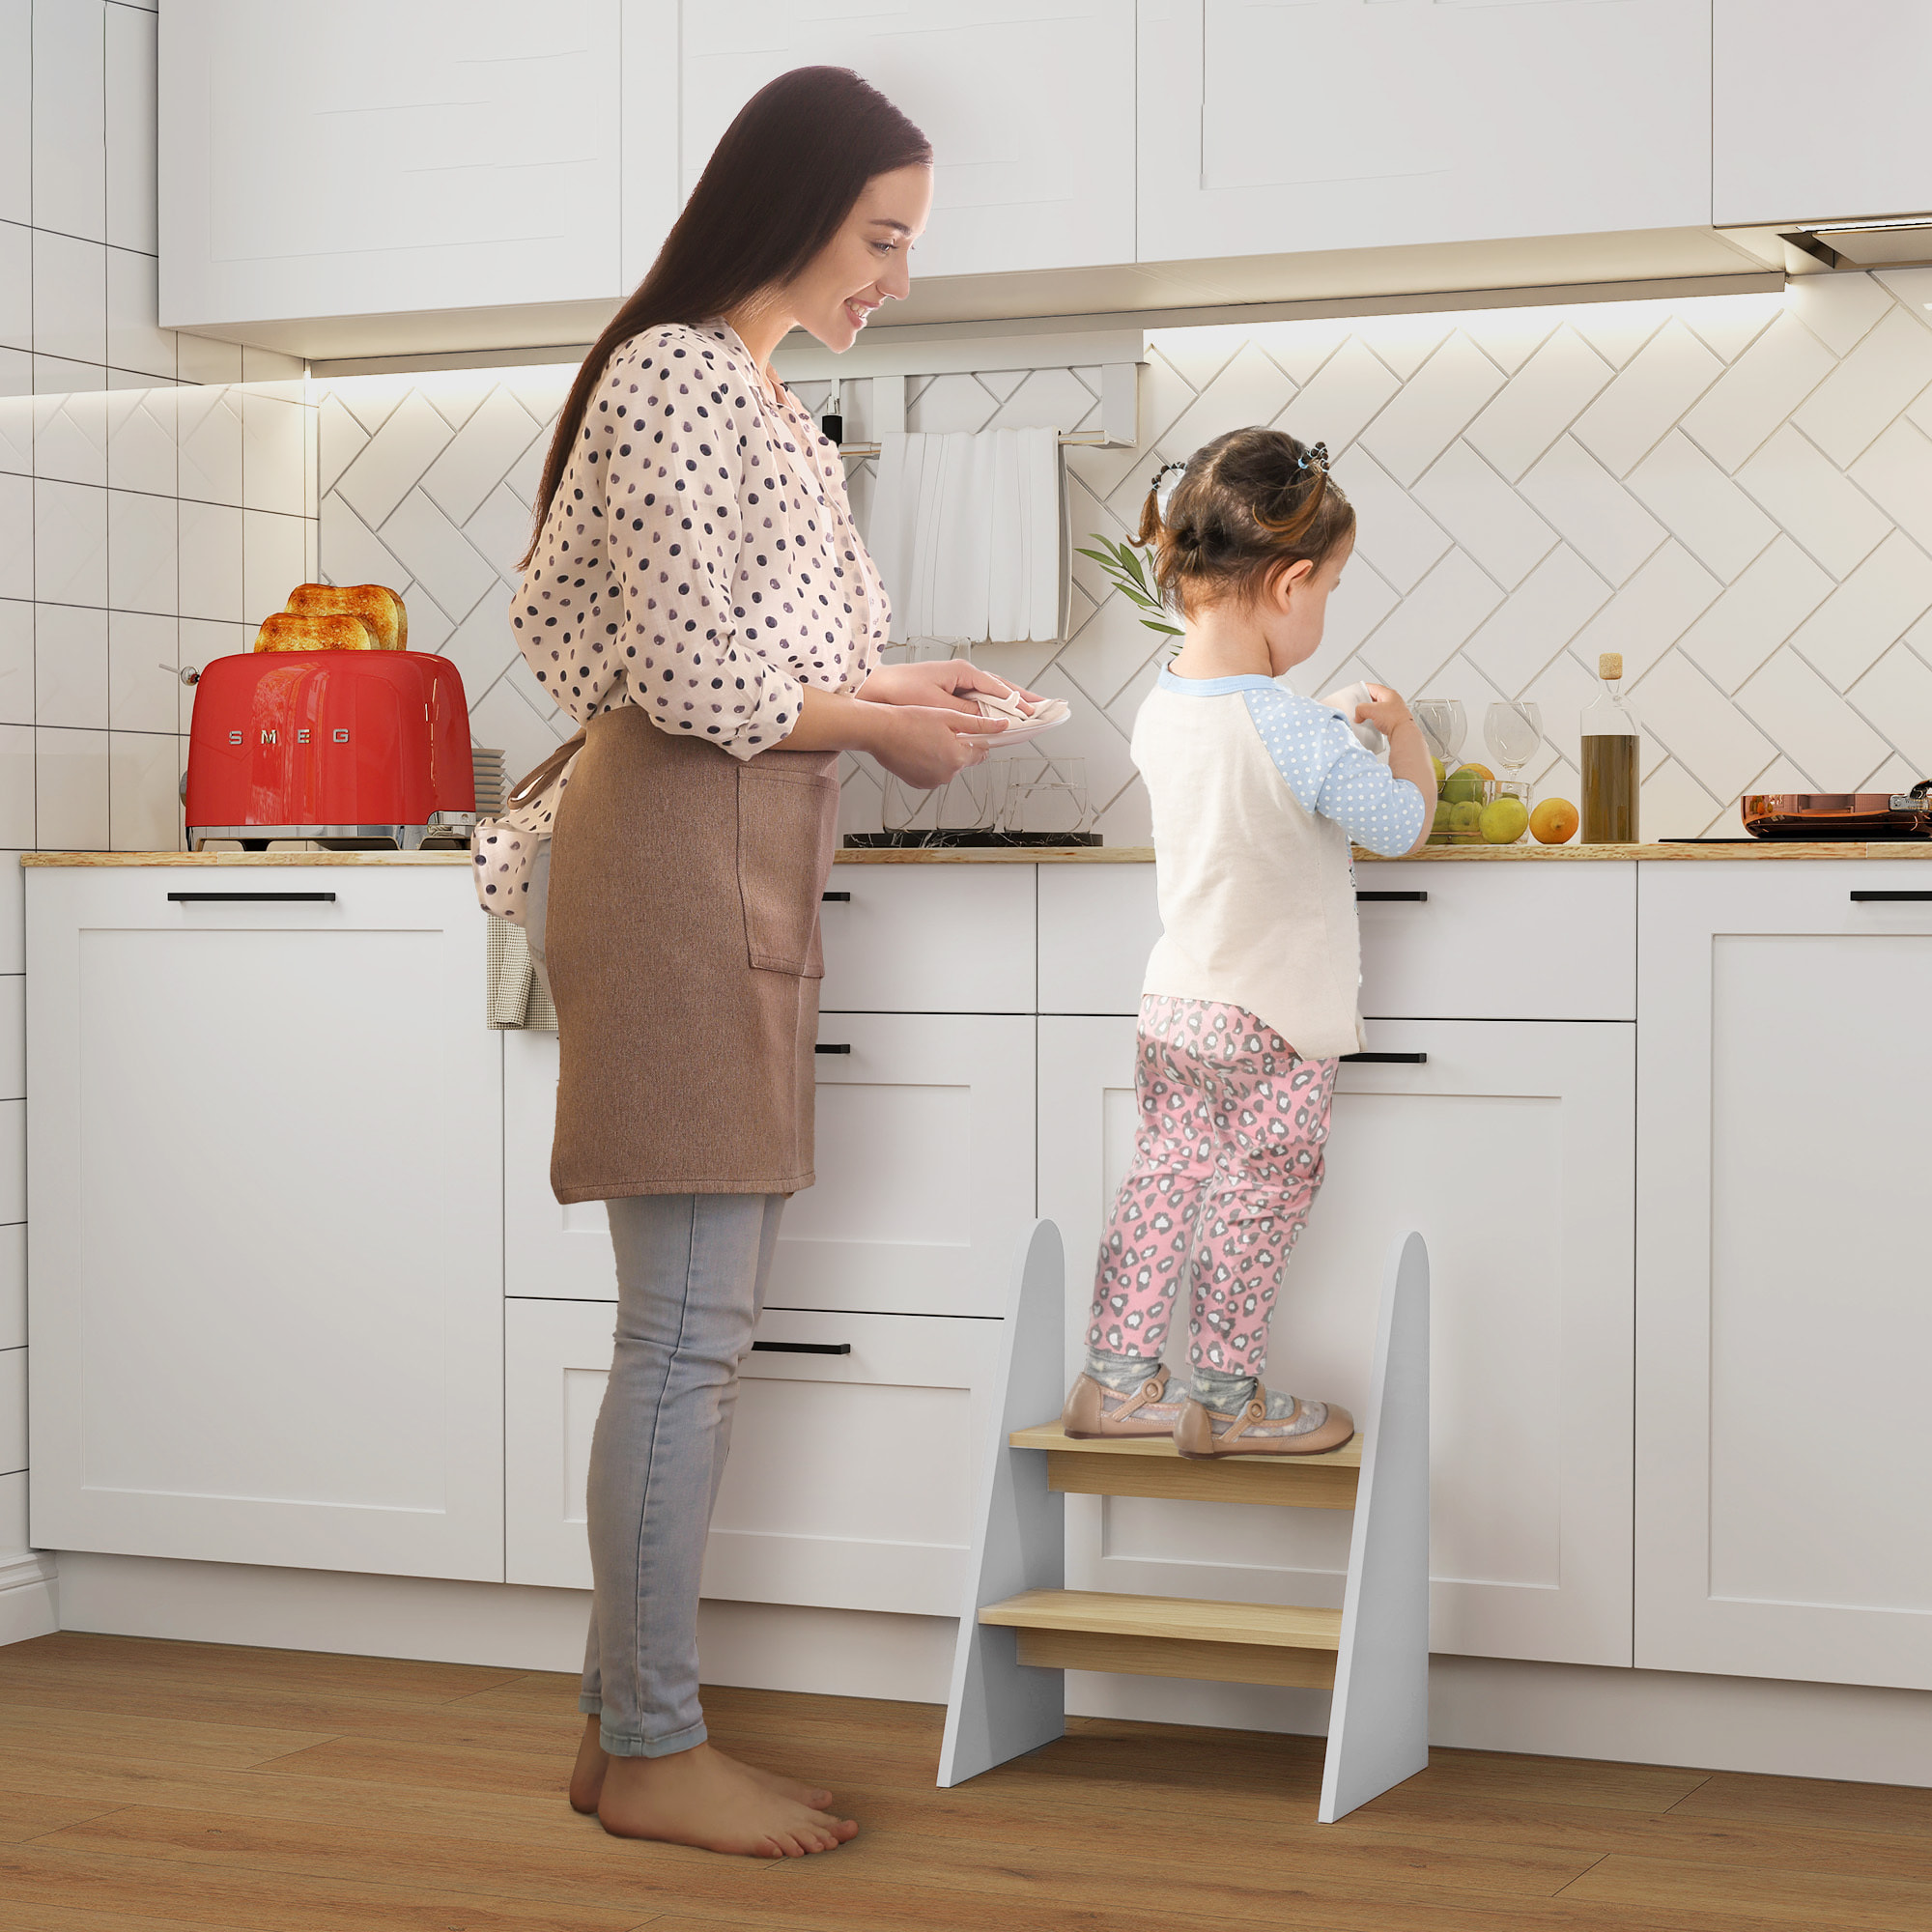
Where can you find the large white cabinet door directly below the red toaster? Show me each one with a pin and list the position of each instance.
(266, 1218)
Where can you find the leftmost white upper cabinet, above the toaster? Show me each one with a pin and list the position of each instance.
(370, 177)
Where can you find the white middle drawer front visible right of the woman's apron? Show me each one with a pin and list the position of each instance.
(924, 1168)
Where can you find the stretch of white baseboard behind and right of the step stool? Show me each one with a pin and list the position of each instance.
(1574, 1711)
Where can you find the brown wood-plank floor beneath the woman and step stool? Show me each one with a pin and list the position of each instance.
(159, 1786)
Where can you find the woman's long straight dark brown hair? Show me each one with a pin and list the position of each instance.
(778, 188)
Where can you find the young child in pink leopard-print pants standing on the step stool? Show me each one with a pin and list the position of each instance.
(1251, 992)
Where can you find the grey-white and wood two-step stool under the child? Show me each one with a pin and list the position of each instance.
(1023, 1630)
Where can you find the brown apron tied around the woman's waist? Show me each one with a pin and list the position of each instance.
(683, 948)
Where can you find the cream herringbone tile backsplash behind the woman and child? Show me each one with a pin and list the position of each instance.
(1734, 492)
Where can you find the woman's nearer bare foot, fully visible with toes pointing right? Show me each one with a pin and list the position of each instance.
(702, 1798)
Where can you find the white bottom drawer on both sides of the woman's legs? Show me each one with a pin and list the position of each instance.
(851, 1475)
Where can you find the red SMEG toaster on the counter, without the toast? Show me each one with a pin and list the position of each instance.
(355, 749)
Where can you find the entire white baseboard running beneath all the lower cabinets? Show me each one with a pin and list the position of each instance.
(1564, 1711)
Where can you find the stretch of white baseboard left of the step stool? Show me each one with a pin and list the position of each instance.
(764, 1647)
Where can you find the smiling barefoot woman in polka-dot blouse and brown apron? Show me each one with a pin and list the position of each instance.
(698, 600)
